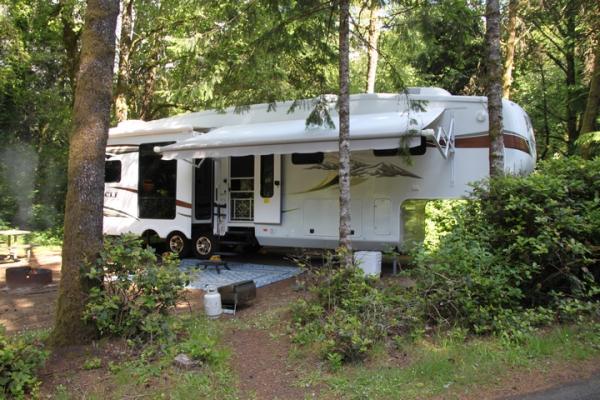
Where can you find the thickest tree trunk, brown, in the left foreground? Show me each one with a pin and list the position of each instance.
(83, 216)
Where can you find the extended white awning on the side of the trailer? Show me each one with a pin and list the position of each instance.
(367, 131)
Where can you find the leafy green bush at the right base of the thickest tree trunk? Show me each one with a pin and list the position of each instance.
(136, 290)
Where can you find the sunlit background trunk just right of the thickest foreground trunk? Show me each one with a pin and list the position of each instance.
(121, 107)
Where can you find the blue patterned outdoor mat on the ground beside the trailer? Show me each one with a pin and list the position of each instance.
(262, 275)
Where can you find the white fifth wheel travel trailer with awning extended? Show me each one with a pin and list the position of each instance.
(264, 177)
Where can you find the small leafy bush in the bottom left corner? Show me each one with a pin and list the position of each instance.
(19, 360)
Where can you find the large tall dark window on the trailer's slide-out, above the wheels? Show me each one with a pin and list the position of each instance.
(157, 184)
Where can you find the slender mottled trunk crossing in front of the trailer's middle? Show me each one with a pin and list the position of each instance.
(344, 125)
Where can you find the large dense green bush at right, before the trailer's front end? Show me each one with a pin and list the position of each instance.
(518, 254)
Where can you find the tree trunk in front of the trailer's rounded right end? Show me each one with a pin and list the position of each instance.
(494, 87)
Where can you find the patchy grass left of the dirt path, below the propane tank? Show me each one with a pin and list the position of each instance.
(152, 375)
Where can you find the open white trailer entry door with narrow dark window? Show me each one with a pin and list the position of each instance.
(267, 189)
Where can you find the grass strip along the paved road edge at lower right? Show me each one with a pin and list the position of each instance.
(450, 365)
